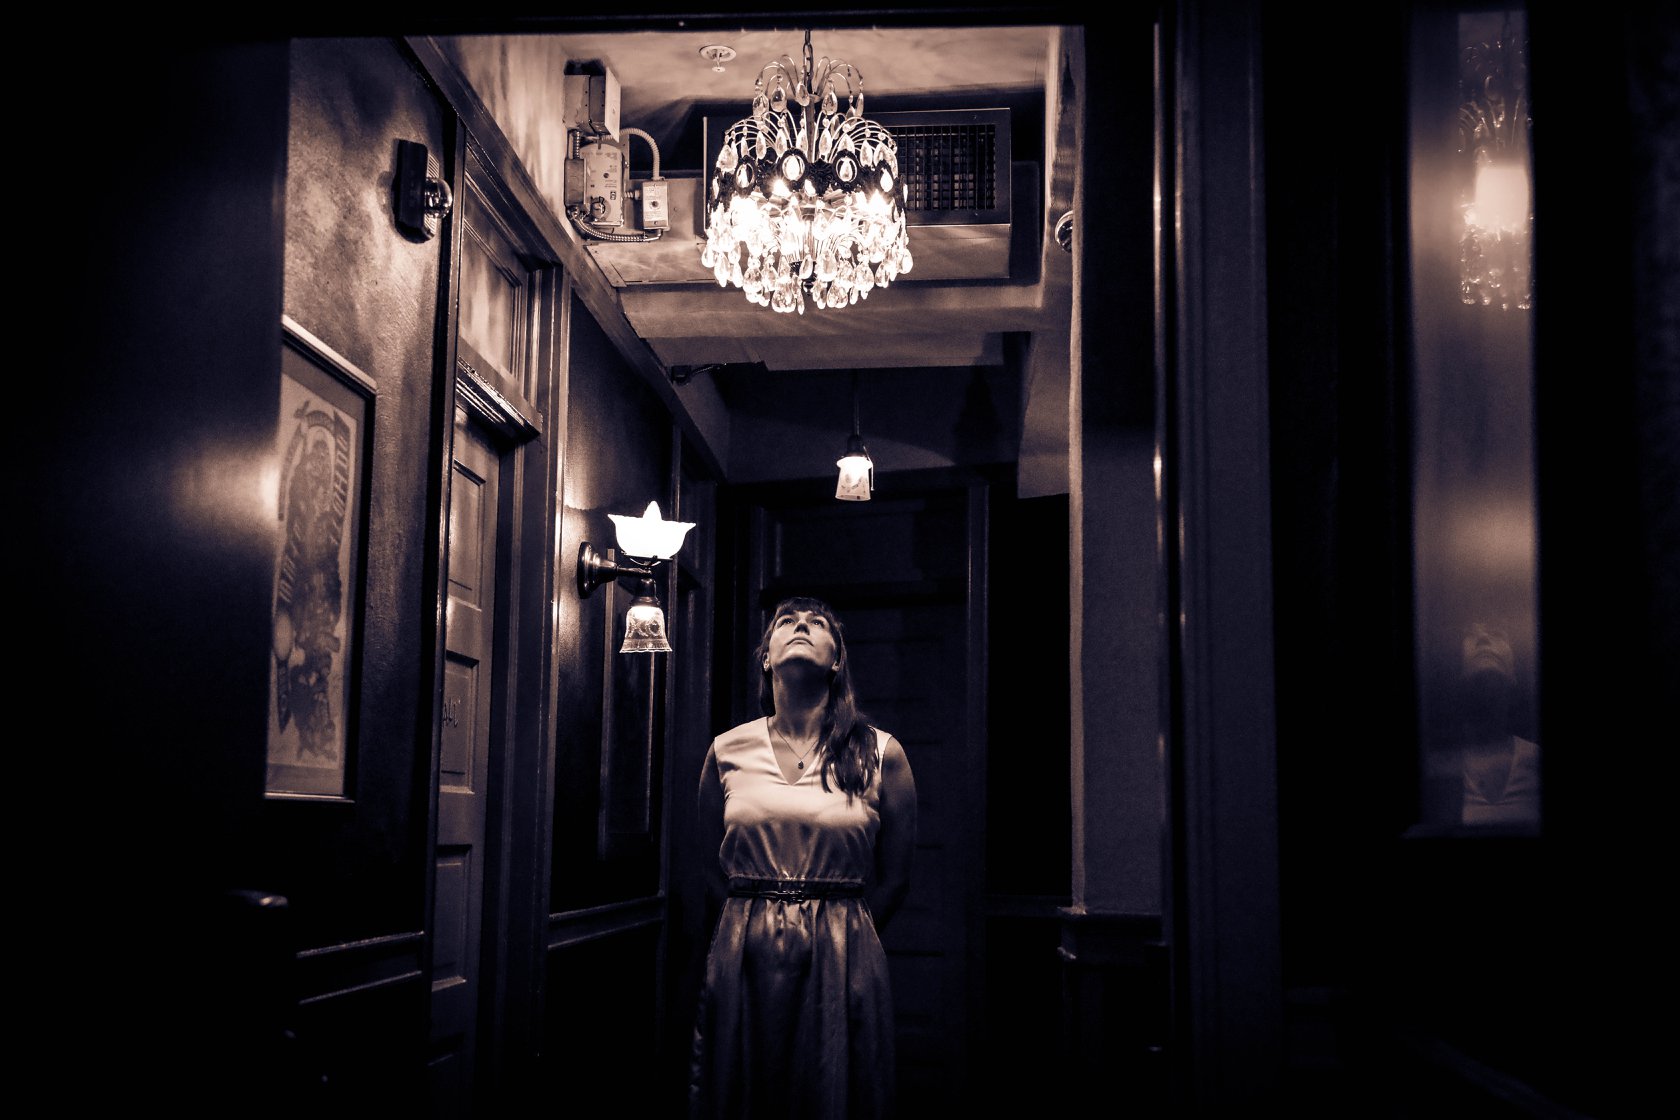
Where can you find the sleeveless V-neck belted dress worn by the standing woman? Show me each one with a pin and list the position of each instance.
(795, 1015)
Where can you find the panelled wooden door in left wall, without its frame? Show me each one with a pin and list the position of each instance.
(465, 768)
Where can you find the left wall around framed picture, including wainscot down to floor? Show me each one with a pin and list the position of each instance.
(355, 872)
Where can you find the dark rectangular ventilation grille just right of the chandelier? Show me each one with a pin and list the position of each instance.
(953, 165)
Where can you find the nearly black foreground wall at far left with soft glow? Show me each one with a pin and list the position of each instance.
(149, 599)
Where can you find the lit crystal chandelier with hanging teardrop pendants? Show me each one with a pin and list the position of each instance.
(806, 199)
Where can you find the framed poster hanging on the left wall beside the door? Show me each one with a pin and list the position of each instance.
(320, 510)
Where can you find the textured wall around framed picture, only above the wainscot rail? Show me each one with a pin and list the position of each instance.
(355, 283)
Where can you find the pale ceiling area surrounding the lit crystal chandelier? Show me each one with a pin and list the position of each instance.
(952, 310)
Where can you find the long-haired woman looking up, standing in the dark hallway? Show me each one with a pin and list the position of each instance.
(812, 815)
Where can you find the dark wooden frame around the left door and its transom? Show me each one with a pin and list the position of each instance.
(528, 429)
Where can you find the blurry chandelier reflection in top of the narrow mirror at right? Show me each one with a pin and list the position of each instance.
(1494, 191)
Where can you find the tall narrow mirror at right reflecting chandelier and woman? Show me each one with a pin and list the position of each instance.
(1473, 454)
